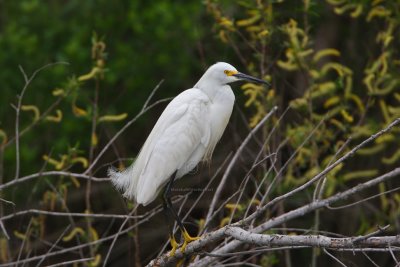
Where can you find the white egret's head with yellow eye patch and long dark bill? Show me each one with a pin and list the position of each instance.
(224, 73)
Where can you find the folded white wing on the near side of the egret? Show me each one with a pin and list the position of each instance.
(178, 132)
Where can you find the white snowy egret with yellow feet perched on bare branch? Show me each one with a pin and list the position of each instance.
(186, 133)
